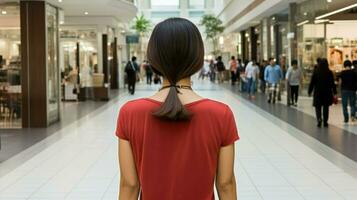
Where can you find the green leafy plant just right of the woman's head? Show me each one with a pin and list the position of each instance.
(213, 28)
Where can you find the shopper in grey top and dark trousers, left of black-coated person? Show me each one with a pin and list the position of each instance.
(294, 78)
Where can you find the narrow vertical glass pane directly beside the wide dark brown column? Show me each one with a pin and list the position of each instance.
(52, 65)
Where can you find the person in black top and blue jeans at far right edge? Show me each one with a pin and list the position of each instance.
(348, 90)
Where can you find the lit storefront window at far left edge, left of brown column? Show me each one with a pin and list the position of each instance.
(10, 67)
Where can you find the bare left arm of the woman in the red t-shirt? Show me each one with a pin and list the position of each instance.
(129, 183)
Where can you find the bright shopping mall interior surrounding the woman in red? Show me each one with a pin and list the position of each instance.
(63, 82)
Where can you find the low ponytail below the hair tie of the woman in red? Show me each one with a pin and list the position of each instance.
(172, 108)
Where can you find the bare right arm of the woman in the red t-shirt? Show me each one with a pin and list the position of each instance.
(225, 180)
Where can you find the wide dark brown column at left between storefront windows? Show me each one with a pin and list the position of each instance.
(34, 64)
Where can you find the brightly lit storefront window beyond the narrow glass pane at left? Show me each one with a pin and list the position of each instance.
(82, 42)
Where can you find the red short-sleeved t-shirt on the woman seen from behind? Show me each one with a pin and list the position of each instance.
(177, 160)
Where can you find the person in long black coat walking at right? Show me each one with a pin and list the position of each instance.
(324, 88)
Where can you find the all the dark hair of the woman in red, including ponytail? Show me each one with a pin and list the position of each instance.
(176, 51)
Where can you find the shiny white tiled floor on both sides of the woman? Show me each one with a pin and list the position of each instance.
(270, 163)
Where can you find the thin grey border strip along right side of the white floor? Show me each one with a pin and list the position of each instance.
(347, 162)
